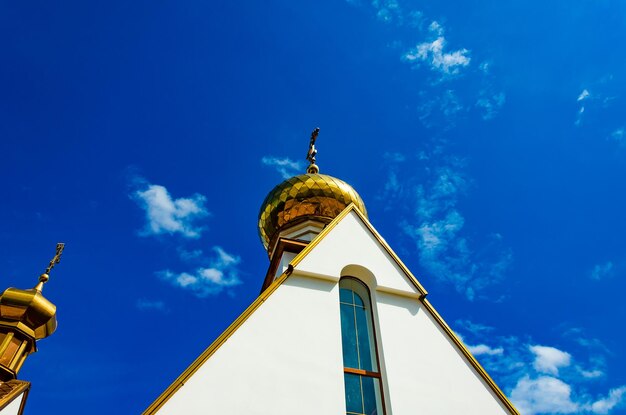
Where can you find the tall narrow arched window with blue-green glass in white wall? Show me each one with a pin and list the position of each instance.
(360, 359)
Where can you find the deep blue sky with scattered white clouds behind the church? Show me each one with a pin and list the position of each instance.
(488, 141)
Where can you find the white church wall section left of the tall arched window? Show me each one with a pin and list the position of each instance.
(285, 359)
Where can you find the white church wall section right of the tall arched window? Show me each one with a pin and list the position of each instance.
(423, 368)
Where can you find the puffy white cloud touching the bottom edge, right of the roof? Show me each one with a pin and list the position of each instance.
(544, 394)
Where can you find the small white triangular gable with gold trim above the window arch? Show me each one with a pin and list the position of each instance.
(351, 239)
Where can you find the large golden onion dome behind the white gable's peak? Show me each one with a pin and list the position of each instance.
(307, 196)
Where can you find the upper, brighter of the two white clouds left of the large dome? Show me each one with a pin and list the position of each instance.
(165, 215)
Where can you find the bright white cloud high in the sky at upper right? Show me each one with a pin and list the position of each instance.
(446, 62)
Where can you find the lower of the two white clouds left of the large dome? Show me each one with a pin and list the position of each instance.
(221, 273)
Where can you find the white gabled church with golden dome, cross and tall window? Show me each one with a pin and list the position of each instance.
(341, 326)
